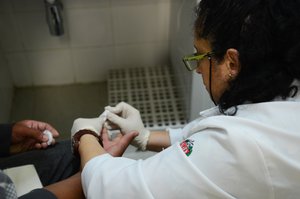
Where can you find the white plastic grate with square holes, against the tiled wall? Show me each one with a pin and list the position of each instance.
(152, 91)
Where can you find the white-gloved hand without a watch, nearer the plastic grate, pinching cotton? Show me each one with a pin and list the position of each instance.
(128, 119)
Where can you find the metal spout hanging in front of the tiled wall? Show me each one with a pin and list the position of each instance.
(54, 17)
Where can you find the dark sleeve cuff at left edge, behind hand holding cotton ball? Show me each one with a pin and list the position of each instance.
(5, 139)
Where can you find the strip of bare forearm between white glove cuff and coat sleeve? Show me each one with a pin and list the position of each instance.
(158, 140)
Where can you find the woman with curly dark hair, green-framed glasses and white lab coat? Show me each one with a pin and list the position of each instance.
(247, 146)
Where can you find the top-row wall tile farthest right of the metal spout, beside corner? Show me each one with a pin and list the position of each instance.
(140, 23)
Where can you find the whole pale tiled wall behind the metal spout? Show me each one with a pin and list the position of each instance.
(99, 34)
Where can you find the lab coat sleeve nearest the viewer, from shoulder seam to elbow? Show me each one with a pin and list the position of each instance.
(168, 174)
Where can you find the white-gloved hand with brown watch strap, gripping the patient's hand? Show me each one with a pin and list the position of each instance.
(83, 126)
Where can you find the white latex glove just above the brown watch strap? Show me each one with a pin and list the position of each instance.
(92, 124)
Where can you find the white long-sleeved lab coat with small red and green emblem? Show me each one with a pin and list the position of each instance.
(252, 155)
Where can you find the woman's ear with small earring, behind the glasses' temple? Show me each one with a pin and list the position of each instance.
(232, 61)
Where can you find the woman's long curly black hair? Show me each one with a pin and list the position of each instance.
(266, 34)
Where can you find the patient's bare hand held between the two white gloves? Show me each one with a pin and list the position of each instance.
(119, 144)
